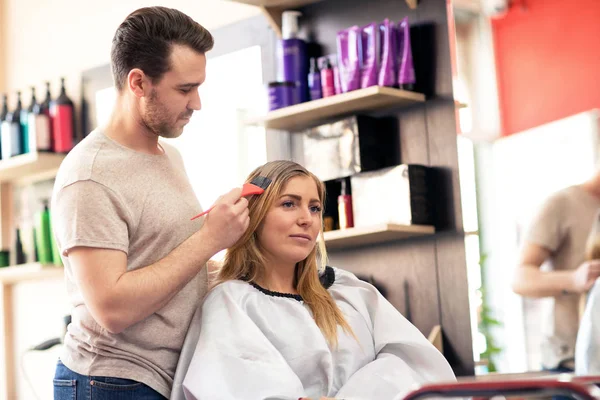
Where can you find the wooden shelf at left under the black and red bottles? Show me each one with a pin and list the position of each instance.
(30, 167)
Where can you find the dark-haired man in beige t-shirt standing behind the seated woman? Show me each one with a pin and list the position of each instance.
(135, 264)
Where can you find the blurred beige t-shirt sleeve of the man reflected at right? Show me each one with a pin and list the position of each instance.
(546, 229)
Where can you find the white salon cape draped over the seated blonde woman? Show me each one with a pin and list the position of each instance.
(258, 345)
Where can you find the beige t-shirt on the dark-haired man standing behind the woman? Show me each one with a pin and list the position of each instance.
(109, 196)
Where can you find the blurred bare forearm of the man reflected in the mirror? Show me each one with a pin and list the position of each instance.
(530, 281)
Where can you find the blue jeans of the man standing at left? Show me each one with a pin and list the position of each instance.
(69, 385)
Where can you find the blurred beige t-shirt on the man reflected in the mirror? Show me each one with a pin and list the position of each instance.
(563, 225)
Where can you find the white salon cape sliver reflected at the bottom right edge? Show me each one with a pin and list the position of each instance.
(587, 348)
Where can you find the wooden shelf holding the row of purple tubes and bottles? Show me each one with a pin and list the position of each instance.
(302, 115)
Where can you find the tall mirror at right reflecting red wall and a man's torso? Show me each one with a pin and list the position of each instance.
(525, 136)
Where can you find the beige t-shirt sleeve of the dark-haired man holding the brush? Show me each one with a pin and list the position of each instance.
(89, 214)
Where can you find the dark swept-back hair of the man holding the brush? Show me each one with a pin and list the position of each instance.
(146, 38)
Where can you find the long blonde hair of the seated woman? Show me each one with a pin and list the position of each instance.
(245, 260)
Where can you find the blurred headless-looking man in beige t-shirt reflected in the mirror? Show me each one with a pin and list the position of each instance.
(557, 239)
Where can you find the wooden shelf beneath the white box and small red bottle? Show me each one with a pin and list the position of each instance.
(351, 237)
